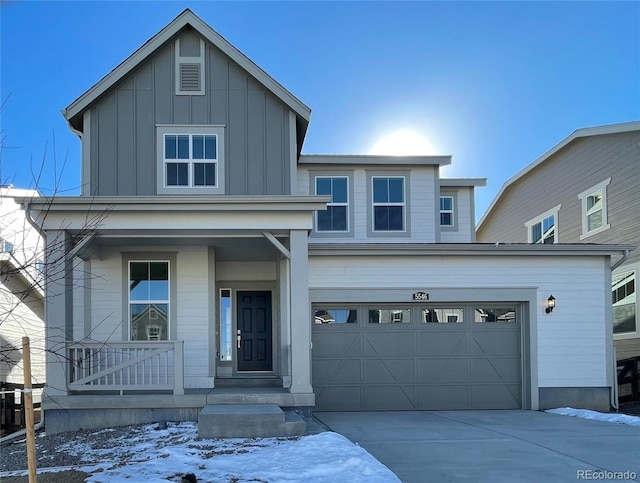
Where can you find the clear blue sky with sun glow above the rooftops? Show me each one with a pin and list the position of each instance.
(495, 84)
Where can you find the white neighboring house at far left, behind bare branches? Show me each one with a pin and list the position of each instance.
(21, 291)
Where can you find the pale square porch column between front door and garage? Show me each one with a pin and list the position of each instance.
(300, 313)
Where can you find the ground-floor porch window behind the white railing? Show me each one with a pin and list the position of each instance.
(149, 300)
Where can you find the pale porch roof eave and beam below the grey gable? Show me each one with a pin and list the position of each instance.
(181, 214)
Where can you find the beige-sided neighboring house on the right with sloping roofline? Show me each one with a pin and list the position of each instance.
(586, 189)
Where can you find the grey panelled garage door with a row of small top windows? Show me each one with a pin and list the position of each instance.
(406, 358)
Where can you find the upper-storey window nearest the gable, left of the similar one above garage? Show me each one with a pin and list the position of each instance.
(336, 216)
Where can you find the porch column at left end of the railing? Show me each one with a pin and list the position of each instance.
(57, 310)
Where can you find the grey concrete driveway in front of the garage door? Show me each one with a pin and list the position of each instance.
(492, 446)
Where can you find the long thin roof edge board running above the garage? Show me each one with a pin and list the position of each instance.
(465, 249)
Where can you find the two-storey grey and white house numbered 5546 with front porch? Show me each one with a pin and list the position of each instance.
(306, 281)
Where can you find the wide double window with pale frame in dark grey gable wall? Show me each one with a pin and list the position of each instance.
(190, 159)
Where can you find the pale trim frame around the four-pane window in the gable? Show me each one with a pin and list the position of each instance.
(166, 129)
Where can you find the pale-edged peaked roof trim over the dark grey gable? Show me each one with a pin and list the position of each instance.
(73, 113)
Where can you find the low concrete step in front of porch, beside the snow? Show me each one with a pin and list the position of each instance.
(248, 421)
